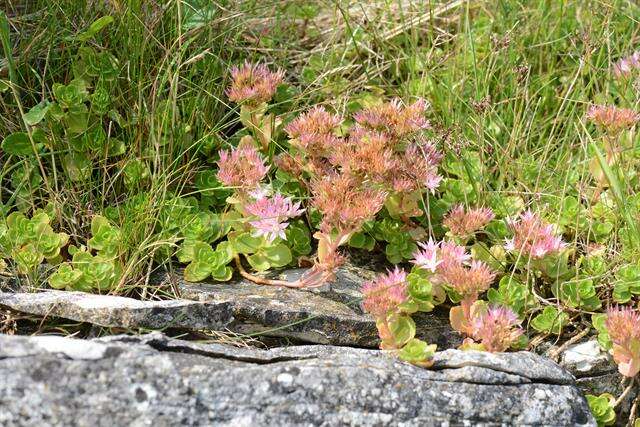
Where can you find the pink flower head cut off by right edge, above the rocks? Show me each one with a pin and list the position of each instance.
(623, 325)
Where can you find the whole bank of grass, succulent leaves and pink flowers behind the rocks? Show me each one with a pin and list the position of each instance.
(487, 150)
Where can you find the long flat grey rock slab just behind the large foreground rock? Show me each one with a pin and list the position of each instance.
(331, 315)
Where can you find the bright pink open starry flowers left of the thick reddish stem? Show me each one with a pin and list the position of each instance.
(272, 215)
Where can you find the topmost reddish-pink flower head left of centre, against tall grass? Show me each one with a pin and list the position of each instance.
(253, 84)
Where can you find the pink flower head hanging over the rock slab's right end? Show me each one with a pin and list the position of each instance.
(385, 293)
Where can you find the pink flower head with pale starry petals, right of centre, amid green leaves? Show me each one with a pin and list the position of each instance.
(533, 237)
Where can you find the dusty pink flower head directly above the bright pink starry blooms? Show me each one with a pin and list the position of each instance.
(241, 168)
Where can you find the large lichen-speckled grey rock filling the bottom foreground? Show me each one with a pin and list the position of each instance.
(153, 380)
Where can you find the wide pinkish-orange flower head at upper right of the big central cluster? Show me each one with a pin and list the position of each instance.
(394, 119)
